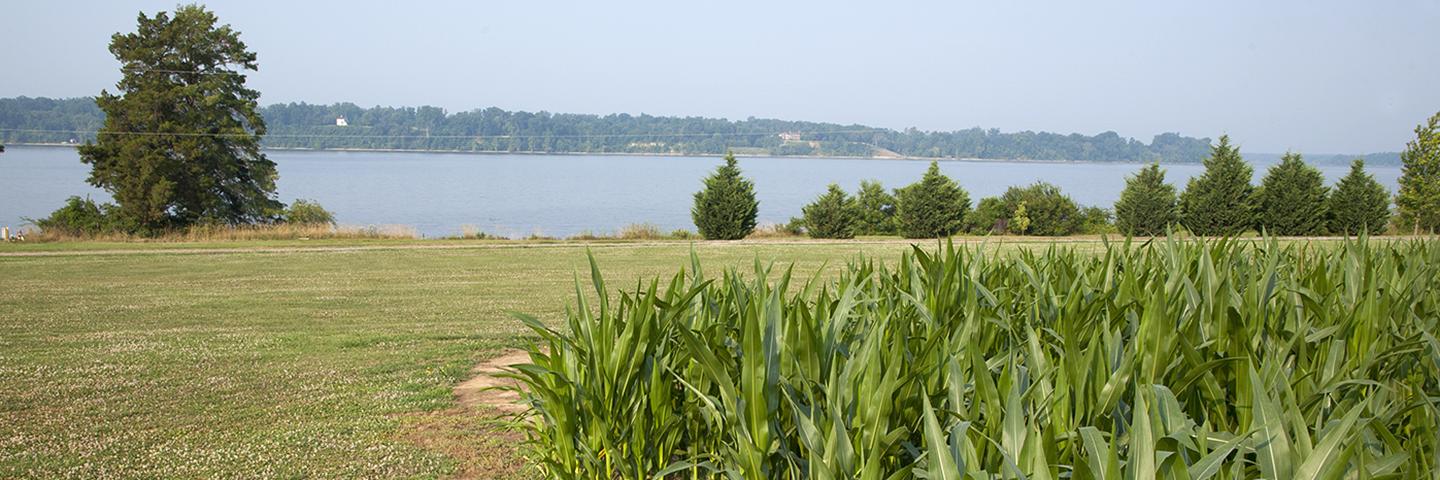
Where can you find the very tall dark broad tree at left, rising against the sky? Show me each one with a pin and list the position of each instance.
(181, 142)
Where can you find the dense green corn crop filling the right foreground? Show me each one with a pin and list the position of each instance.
(1174, 360)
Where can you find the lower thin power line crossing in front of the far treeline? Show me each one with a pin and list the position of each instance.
(443, 138)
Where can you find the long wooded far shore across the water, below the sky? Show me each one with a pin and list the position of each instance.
(306, 126)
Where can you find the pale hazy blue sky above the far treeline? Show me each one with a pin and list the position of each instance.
(1318, 77)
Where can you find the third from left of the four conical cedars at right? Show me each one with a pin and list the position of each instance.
(1292, 200)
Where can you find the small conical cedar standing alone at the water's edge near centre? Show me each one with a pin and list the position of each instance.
(726, 208)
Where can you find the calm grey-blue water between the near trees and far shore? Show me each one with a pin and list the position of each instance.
(438, 194)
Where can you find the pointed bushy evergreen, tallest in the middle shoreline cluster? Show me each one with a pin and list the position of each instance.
(932, 208)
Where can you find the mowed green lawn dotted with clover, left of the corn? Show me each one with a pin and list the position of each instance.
(287, 364)
